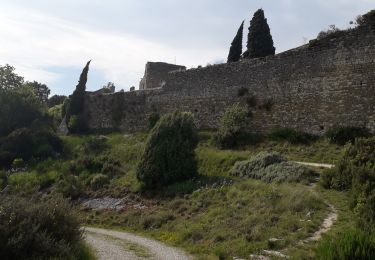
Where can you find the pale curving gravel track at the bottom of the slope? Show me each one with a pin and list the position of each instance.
(115, 245)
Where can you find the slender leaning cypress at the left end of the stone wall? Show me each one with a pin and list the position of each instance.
(78, 96)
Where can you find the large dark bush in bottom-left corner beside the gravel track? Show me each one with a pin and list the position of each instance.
(32, 228)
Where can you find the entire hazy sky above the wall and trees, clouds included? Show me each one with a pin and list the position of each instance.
(51, 40)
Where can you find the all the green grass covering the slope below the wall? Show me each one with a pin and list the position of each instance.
(215, 215)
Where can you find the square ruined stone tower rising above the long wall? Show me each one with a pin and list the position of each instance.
(156, 74)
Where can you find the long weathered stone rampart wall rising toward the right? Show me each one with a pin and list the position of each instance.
(312, 88)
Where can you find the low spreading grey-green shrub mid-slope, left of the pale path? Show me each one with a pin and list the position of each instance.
(272, 167)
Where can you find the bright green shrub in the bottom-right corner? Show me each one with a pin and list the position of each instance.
(353, 244)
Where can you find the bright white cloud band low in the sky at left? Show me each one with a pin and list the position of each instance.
(36, 41)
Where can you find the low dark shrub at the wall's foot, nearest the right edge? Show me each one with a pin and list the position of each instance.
(343, 135)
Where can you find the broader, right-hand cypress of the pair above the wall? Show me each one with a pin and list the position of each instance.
(259, 42)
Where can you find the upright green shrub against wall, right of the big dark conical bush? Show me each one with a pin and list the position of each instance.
(231, 127)
